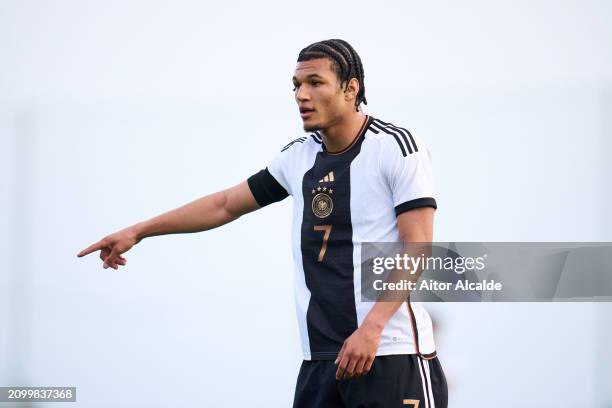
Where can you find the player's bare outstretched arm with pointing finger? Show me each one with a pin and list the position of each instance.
(202, 214)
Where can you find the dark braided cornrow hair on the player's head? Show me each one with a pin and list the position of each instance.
(345, 62)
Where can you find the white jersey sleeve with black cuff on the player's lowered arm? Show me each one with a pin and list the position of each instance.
(409, 177)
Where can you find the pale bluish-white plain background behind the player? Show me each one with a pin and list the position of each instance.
(112, 112)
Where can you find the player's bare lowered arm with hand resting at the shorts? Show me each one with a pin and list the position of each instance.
(359, 350)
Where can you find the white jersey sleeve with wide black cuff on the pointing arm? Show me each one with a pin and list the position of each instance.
(270, 184)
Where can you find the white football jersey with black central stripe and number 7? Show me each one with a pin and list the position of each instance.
(341, 200)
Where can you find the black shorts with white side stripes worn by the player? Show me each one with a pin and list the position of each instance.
(400, 381)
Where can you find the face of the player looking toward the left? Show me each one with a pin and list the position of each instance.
(320, 97)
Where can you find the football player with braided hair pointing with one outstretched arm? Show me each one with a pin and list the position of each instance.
(354, 179)
